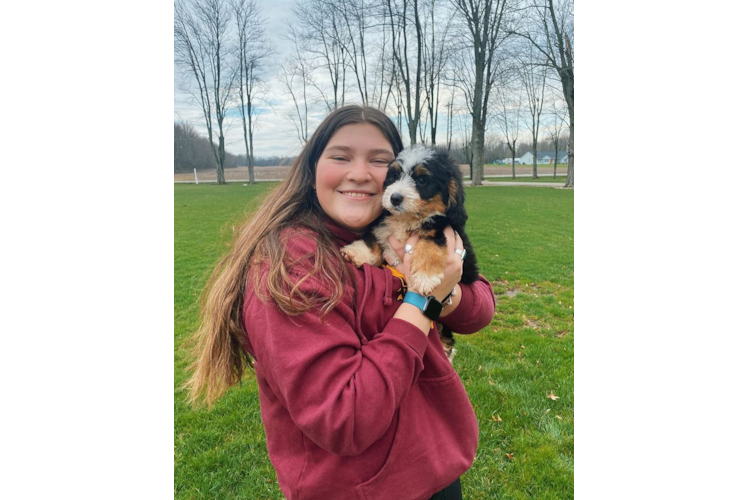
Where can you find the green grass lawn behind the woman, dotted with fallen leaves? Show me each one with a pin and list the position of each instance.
(525, 242)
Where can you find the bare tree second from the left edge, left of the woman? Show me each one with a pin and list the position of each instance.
(253, 48)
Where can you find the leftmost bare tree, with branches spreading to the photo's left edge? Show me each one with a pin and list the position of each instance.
(201, 50)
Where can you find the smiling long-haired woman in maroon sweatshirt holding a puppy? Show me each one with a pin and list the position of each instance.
(357, 397)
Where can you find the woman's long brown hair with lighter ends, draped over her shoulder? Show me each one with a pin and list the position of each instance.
(218, 346)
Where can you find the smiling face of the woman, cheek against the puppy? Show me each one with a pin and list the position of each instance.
(350, 175)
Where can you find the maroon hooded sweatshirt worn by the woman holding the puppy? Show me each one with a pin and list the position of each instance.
(359, 404)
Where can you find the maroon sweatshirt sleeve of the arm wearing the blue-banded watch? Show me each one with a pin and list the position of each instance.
(341, 392)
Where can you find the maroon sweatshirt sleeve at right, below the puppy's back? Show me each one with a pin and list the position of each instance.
(476, 309)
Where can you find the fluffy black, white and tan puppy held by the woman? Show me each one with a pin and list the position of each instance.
(423, 194)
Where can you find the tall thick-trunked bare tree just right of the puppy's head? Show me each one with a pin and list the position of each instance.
(483, 19)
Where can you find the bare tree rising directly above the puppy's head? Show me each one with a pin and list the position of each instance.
(403, 22)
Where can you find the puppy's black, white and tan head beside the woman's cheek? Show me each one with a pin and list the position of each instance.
(418, 183)
